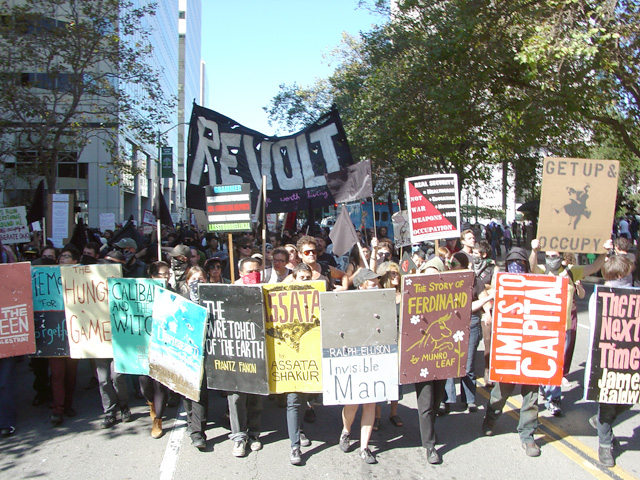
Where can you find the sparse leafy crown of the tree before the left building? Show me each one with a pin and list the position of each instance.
(72, 72)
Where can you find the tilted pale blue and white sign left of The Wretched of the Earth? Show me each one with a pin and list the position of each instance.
(176, 348)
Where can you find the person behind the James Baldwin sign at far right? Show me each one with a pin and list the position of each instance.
(616, 271)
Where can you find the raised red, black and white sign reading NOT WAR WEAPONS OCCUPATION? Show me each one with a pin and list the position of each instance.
(433, 206)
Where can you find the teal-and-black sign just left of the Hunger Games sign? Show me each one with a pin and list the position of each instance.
(48, 306)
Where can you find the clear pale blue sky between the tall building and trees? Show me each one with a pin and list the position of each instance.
(250, 47)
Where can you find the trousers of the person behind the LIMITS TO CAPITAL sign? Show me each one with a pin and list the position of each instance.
(528, 412)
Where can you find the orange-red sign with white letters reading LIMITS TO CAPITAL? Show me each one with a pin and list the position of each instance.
(529, 322)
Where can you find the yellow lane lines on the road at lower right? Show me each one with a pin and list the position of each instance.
(568, 445)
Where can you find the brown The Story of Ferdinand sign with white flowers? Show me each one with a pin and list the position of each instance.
(434, 326)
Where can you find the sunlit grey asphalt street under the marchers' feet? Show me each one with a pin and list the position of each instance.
(80, 449)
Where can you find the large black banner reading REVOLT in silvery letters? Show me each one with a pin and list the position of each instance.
(223, 152)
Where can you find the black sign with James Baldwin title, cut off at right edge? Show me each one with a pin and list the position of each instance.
(612, 374)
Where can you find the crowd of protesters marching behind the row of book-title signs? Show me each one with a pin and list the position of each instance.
(190, 257)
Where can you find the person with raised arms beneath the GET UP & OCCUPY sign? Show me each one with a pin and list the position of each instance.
(554, 266)
